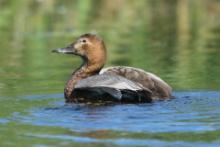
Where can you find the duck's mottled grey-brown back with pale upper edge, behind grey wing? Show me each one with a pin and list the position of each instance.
(159, 88)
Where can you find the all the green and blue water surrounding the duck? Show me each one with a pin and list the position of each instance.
(177, 40)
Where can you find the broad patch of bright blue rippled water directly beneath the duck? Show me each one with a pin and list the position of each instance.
(189, 111)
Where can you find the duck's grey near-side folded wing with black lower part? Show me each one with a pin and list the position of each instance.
(113, 88)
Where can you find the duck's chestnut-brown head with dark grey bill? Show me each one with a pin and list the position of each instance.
(88, 46)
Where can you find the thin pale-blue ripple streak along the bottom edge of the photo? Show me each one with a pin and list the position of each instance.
(126, 141)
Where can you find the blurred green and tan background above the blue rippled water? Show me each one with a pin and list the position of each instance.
(178, 40)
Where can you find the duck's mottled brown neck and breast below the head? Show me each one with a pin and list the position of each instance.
(85, 70)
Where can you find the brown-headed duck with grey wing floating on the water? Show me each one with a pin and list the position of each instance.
(91, 83)
